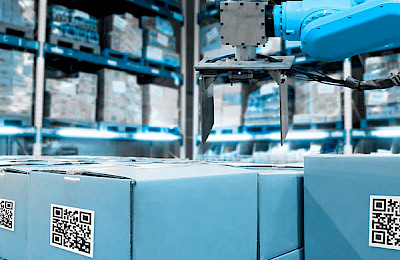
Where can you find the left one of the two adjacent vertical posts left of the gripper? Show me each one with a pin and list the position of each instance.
(183, 93)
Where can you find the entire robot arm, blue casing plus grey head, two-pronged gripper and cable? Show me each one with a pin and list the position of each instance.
(329, 30)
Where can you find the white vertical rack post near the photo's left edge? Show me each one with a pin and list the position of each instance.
(39, 78)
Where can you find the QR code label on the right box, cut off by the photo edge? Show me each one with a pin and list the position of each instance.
(384, 222)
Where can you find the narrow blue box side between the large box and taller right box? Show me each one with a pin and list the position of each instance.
(280, 212)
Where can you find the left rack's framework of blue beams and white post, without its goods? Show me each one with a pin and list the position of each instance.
(44, 50)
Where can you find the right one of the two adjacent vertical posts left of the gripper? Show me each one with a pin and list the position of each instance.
(196, 89)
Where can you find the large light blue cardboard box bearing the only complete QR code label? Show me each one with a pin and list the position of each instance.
(151, 211)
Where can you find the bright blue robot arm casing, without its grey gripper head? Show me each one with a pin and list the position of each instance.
(332, 30)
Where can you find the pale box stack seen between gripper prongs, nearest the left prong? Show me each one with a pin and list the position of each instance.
(230, 103)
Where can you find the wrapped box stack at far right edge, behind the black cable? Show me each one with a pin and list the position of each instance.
(382, 103)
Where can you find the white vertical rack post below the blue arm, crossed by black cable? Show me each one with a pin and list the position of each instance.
(348, 110)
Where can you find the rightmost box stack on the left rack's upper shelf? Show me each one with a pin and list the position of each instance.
(160, 41)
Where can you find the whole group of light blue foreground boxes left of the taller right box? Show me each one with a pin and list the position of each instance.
(151, 209)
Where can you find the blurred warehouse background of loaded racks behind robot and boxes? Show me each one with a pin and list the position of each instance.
(94, 78)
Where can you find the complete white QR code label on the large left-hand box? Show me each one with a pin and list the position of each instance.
(72, 229)
